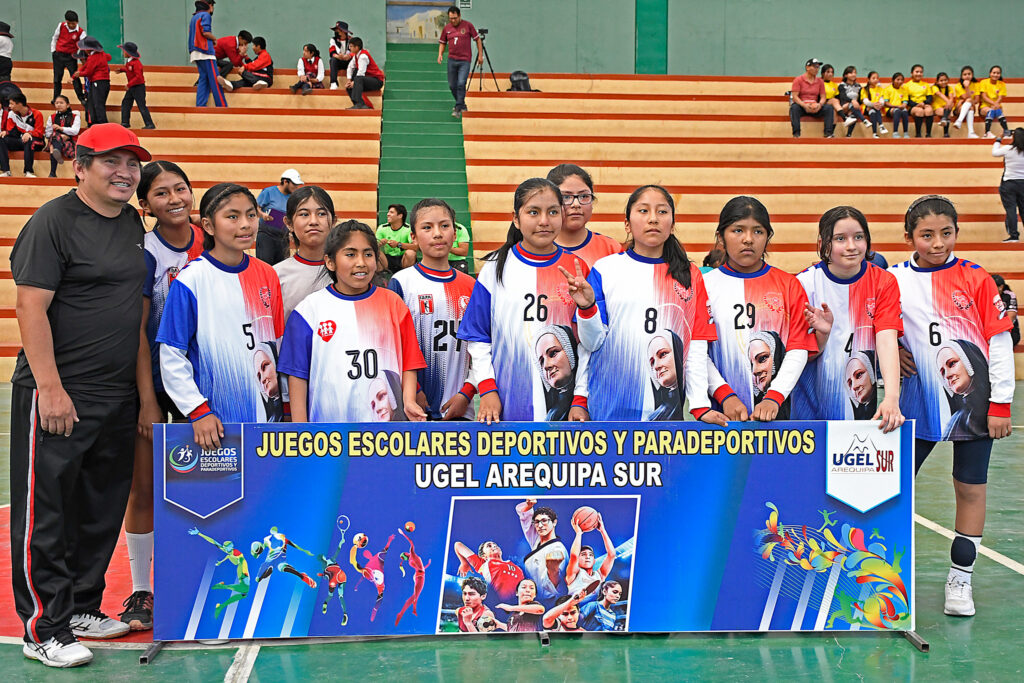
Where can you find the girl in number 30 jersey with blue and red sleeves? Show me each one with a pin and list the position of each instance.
(350, 351)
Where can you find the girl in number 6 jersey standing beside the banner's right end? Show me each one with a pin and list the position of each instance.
(958, 366)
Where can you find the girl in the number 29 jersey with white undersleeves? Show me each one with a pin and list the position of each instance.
(763, 340)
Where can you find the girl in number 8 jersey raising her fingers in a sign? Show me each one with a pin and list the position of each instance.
(645, 317)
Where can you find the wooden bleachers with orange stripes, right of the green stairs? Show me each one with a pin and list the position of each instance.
(680, 132)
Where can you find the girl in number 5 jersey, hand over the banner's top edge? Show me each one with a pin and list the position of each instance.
(222, 322)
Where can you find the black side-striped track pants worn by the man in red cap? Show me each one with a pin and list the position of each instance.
(68, 501)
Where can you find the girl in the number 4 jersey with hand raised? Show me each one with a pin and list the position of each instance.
(854, 308)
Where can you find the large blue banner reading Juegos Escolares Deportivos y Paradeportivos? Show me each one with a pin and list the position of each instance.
(327, 530)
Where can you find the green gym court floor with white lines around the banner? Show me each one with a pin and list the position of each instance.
(987, 648)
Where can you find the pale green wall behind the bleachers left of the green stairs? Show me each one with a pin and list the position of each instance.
(160, 27)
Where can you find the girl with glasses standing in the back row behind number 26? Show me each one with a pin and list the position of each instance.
(578, 207)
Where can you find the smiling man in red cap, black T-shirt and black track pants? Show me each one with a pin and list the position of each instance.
(79, 268)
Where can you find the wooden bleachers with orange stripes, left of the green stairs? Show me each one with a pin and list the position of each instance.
(251, 143)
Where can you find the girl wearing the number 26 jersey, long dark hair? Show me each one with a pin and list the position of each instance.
(527, 363)
